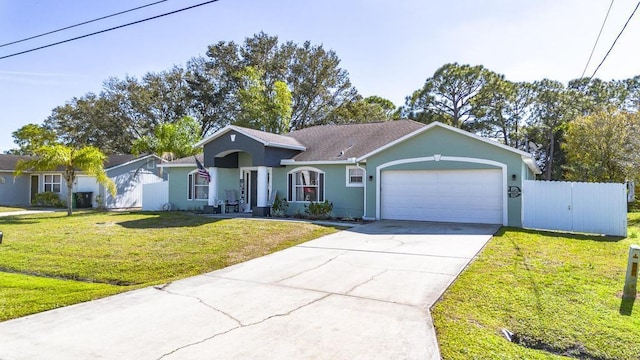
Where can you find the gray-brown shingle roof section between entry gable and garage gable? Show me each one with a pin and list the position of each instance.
(341, 142)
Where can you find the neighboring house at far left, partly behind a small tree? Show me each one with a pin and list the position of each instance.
(129, 173)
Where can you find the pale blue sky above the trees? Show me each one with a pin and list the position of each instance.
(389, 47)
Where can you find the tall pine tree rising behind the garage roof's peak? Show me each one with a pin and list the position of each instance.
(449, 96)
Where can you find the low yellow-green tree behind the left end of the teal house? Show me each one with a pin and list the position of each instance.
(170, 140)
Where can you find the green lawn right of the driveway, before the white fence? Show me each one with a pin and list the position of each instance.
(556, 291)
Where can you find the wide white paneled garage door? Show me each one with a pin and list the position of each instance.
(470, 196)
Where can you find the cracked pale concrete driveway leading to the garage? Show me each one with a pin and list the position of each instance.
(363, 293)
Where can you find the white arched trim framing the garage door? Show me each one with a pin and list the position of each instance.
(505, 210)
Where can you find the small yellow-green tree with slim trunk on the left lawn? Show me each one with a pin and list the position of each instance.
(87, 159)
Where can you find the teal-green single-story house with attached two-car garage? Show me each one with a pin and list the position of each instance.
(390, 170)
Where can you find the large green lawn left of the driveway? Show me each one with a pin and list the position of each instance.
(93, 254)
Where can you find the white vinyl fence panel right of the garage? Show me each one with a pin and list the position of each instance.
(596, 208)
